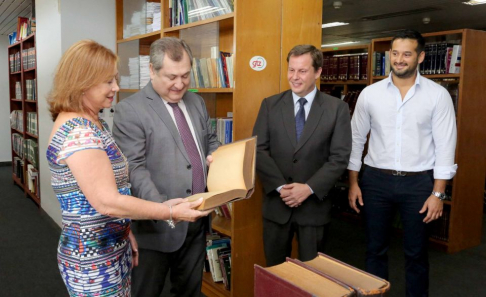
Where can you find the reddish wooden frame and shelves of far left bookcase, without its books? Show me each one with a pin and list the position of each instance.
(25, 106)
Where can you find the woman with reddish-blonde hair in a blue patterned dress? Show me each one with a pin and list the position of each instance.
(90, 178)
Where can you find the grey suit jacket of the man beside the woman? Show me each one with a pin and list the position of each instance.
(159, 166)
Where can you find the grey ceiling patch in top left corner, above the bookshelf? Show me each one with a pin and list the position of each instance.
(9, 11)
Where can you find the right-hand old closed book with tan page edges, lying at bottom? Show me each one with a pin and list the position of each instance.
(365, 284)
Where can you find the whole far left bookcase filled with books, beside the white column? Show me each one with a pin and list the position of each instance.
(24, 123)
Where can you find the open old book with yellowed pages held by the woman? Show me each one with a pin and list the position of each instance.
(231, 175)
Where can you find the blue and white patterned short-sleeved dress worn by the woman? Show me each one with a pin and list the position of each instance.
(94, 253)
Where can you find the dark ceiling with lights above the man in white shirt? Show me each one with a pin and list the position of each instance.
(395, 15)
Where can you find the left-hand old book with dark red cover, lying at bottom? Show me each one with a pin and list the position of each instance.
(291, 279)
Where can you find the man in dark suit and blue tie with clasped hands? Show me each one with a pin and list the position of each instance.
(304, 144)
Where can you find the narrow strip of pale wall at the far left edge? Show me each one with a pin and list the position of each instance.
(5, 149)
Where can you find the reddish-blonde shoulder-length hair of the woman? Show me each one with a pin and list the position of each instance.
(84, 65)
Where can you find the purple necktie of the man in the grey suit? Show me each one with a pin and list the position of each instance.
(198, 185)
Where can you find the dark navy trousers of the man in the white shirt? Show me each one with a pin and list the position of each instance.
(383, 195)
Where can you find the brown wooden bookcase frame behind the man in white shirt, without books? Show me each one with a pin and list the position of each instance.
(464, 225)
